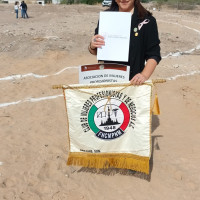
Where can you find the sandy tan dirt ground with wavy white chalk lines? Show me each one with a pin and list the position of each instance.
(46, 50)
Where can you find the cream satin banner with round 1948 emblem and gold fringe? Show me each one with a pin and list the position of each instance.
(109, 125)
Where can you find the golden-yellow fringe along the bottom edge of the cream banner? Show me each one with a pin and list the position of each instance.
(110, 160)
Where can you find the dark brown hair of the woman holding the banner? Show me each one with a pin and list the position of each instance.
(142, 12)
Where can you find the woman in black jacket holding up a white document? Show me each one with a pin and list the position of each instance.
(144, 41)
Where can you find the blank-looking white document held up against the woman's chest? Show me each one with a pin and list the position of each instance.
(115, 28)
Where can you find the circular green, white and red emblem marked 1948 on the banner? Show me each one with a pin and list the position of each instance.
(108, 120)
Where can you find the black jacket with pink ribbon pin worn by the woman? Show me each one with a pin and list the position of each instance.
(143, 46)
